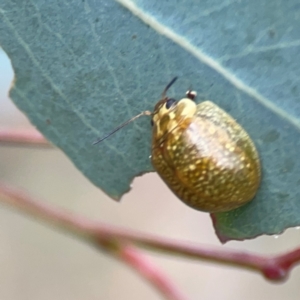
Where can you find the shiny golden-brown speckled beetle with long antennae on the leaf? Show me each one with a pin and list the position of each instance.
(204, 156)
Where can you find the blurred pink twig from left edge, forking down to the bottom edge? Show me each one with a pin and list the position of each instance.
(75, 225)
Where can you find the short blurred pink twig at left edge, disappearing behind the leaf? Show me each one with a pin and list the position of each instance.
(21, 137)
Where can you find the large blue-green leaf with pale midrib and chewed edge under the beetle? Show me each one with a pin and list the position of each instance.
(82, 68)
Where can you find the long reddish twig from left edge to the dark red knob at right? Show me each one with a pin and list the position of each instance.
(272, 267)
